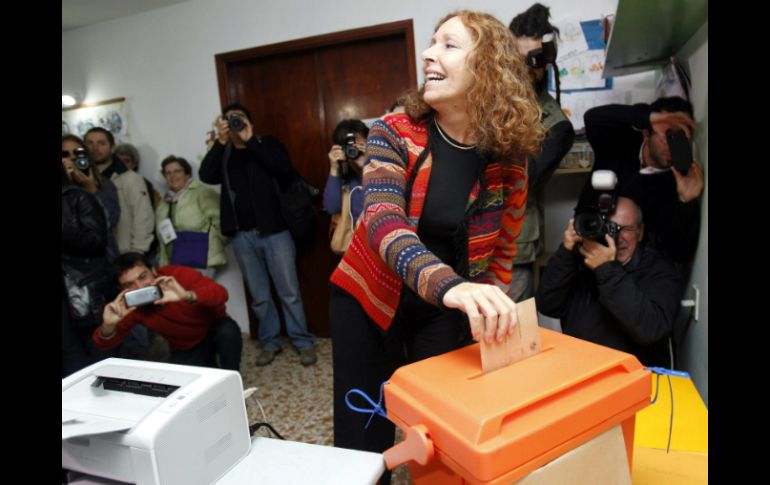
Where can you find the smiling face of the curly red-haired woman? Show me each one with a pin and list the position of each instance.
(447, 78)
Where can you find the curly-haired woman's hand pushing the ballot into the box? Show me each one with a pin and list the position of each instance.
(490, 311)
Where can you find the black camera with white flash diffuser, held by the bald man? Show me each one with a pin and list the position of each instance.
(593, 222)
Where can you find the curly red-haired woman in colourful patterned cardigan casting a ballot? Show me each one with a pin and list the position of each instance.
(445, 187)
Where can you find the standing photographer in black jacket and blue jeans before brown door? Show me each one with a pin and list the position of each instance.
(247, 166)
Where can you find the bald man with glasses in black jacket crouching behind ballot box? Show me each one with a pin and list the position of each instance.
(615, 291)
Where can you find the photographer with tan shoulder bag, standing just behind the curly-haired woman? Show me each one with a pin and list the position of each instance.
(343, 195)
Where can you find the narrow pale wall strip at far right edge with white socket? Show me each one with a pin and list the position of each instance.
(695, 356)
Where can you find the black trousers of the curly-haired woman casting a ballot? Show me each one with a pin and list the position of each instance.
(364, 357)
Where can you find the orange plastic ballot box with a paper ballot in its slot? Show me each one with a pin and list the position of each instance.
(463, 426)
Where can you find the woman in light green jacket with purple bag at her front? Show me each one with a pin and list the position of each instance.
(189, 206)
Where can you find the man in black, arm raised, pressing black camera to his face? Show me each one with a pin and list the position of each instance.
(632, 142)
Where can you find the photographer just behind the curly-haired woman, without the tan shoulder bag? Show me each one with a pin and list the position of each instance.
(346, 164)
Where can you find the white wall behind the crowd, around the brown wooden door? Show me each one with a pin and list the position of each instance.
(162, 62)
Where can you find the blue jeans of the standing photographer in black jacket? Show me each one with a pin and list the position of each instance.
(262, 258)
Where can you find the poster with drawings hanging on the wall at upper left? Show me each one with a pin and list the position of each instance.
(110, 115)
